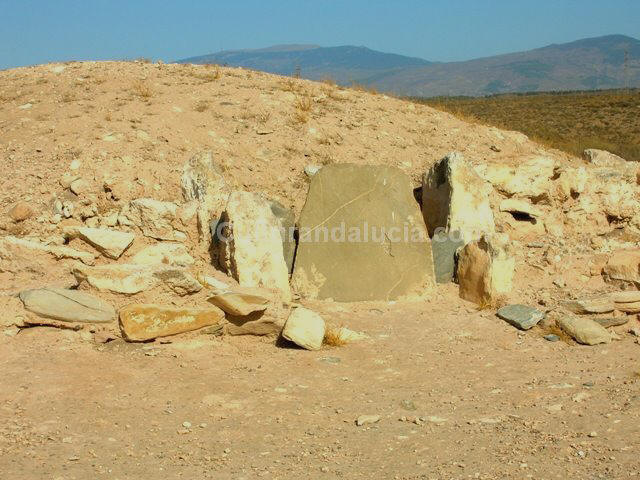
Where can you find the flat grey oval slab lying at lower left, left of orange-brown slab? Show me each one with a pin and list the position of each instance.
(67, 305)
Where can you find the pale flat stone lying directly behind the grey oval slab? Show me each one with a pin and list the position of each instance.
(127, 279)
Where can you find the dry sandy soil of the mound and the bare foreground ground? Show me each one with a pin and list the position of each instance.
(460, 393)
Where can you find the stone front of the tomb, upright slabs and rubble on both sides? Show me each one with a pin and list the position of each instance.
(361, 236)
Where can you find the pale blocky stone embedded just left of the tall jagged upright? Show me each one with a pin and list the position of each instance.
(154, 218)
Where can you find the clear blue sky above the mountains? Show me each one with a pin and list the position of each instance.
(38, 31)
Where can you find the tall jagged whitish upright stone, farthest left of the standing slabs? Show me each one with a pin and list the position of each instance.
(203, 181)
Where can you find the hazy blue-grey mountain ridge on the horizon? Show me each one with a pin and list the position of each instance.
(588, 64)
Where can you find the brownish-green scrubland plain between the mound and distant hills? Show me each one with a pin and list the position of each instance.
(568, 121)
